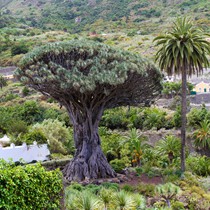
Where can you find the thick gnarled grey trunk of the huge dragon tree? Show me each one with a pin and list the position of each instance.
(89, 162)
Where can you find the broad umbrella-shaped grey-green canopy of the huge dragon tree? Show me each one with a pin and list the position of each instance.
(77, 68)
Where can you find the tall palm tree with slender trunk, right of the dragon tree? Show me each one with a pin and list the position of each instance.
(183, 51)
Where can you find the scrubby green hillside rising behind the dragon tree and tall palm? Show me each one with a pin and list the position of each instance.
(126, 24)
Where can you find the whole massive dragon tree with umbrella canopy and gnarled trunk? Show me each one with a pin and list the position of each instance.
(87, 78)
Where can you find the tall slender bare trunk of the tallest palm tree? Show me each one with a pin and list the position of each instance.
(183, 117)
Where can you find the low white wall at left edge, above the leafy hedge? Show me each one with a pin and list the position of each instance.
(26, 152)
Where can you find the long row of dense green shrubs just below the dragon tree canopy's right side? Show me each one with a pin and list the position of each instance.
(140, 118)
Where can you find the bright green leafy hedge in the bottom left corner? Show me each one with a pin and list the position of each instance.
(29, 187)
